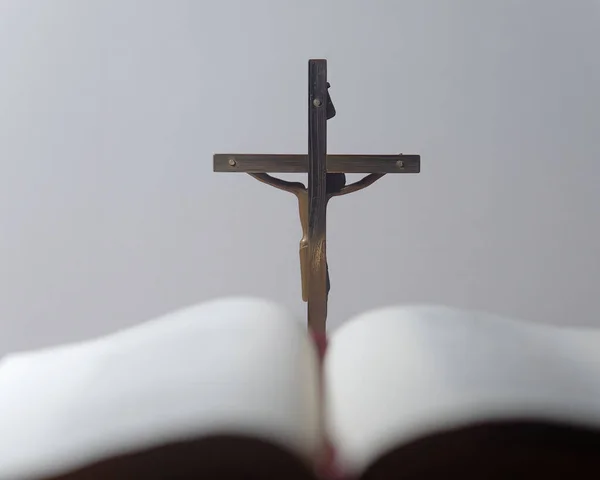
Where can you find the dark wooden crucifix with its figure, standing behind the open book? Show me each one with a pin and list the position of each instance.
(326, 179)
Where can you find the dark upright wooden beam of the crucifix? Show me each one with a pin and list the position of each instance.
(317, 194)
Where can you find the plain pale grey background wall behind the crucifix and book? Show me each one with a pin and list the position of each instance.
(111, 111)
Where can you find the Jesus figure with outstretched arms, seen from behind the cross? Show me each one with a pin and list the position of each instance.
(336, 186)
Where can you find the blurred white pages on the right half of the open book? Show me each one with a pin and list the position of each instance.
(396, 374)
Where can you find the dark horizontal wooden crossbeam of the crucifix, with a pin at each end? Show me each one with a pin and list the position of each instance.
(249, 163)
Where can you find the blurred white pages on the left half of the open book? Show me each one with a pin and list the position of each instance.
(232, 366)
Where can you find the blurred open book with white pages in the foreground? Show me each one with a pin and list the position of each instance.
(233, 388)
